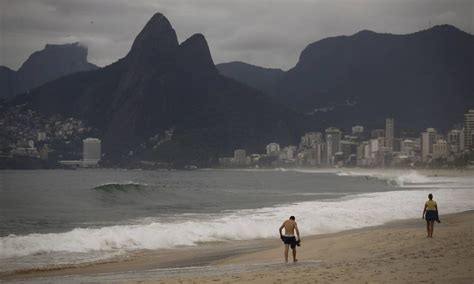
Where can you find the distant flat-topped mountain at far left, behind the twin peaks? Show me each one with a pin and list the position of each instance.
(54, 61)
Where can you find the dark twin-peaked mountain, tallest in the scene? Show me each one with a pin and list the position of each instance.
(161, 85)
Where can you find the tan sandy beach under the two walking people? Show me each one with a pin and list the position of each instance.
(398, 252)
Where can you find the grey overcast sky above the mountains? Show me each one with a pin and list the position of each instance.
(269, 33)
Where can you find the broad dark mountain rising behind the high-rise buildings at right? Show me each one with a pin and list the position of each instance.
(422, 79)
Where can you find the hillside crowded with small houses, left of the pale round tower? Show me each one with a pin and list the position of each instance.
(25, 133)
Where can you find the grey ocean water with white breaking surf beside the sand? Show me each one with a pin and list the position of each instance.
(60, 217)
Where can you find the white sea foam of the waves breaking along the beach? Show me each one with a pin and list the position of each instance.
(314, 217)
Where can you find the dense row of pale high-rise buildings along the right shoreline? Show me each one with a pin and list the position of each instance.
(377, 148)
